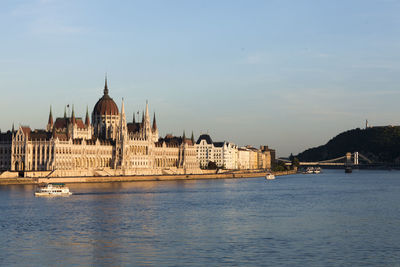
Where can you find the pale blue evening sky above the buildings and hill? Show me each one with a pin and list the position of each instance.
(287, 74)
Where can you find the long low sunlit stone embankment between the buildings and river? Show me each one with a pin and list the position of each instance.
(138, 178)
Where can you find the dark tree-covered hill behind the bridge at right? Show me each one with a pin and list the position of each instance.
(379, 144)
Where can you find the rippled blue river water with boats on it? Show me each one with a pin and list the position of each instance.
(326, 219)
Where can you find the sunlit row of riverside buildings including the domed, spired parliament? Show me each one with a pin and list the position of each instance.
(108, 145)
